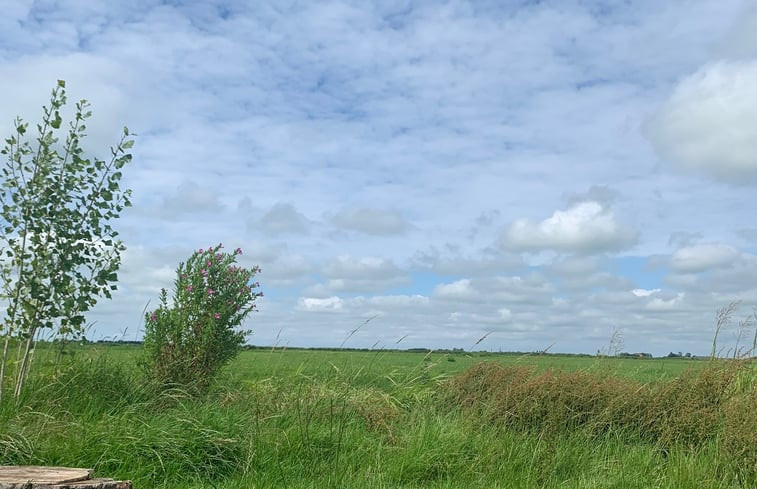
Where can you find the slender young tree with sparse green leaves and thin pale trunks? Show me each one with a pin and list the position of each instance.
(59, 250)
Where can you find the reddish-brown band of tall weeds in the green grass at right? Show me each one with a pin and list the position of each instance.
(690, 410)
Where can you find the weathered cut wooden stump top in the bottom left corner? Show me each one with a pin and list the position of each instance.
(36, 477)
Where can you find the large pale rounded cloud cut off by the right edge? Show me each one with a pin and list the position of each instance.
(708, 124)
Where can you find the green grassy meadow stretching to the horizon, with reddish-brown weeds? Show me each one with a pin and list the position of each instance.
(377, 419)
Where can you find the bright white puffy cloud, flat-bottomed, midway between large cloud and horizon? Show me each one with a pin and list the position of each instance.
(584, 227)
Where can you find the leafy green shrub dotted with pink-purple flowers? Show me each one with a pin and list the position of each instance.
(188, 340)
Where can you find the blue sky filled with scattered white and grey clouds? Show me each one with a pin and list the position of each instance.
(539, 174)
